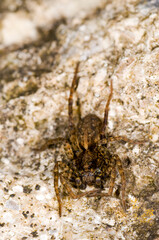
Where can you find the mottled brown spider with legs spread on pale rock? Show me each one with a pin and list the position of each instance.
(88, 160)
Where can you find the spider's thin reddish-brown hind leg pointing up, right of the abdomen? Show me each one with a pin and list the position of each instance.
(105, 121)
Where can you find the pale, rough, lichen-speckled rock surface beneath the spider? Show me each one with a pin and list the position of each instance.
(41, 41)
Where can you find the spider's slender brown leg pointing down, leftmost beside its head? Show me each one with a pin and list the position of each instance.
(56, 178)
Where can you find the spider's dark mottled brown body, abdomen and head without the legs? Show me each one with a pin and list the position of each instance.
(89, 169)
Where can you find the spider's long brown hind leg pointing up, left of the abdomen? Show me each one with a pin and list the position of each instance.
(70, 101)
